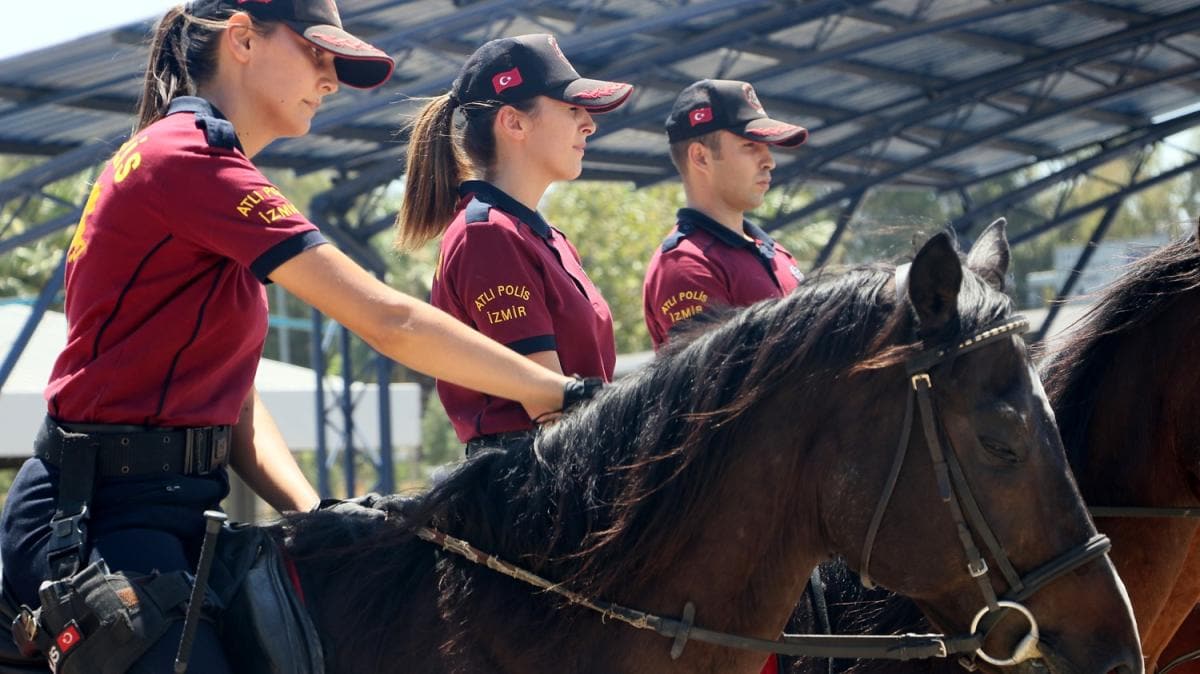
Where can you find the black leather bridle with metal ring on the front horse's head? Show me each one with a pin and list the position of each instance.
(956, 494)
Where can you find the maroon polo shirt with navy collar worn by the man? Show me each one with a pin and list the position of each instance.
(703, 264)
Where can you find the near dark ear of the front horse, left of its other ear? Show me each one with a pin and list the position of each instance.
(934, 282)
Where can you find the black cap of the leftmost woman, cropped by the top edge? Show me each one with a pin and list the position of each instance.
(358, 64)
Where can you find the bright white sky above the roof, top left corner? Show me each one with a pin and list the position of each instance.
(41, 23)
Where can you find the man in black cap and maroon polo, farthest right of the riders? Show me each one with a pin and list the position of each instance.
(721, 140)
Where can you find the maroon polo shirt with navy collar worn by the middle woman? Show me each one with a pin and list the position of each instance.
(508, 274)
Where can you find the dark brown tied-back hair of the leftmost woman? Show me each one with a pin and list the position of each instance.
(183, 56)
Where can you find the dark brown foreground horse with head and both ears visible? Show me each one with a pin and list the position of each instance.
(721, 476)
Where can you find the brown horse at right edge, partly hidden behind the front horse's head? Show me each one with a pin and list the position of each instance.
(1125, 393)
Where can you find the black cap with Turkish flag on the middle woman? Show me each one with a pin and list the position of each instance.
(518, 69)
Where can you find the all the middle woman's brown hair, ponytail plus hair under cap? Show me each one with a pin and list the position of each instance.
(440, 159)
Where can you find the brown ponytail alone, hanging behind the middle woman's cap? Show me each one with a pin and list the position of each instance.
(435, 168)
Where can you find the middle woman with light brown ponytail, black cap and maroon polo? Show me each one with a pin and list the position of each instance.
(503, 269)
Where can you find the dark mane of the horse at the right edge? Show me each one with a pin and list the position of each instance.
(1138, 297)
